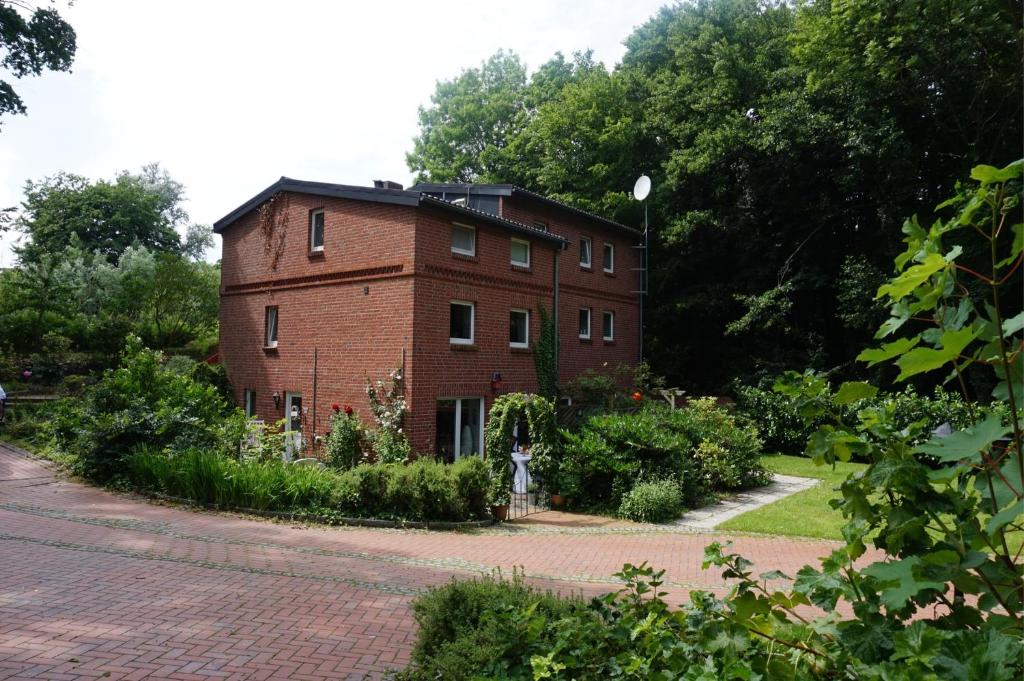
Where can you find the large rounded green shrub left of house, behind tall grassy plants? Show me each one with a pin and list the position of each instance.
(141, 403)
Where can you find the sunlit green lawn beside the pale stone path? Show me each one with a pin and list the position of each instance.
(805, 514)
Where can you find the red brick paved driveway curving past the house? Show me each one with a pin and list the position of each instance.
(95, 585)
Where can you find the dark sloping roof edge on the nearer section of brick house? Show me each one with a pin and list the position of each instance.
(381, 196)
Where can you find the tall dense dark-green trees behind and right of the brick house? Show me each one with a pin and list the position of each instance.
(787, 144)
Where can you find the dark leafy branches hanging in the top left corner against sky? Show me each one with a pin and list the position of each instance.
(32, 45)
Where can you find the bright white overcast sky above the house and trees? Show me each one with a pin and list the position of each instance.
(229, 97)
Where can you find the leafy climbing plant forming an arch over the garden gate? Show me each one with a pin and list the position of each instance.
(507, 411)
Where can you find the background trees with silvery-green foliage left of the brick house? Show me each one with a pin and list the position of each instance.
(90, 275)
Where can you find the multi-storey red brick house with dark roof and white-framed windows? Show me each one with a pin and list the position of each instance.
(443, 281)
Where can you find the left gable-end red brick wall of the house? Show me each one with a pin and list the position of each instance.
(353, 303)
